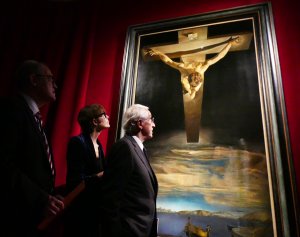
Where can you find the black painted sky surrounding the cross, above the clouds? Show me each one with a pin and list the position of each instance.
(231, 102)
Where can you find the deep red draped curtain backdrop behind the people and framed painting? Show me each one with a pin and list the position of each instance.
(83, 43)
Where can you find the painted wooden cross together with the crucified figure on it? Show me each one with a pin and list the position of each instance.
(192, 48)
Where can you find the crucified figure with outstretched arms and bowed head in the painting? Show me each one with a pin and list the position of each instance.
(192, 73)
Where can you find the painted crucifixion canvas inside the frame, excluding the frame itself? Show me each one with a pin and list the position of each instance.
(202, 85)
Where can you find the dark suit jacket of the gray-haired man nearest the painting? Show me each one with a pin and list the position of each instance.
(129, 192)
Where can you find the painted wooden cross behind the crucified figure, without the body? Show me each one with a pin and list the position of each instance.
(193, 46)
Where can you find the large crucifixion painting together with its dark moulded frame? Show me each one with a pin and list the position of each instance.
(220, 148)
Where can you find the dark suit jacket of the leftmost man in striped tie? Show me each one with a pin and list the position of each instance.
(26, 178)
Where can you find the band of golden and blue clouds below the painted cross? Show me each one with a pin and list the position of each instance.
(207, 176)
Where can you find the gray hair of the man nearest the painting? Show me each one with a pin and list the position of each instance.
(132, 115)
